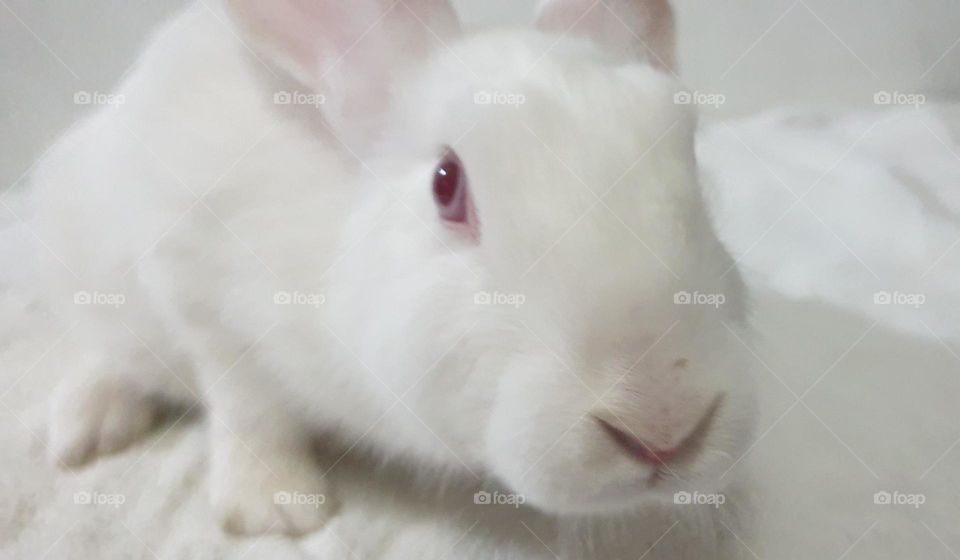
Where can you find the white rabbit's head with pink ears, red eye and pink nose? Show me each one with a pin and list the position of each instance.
(531, 266)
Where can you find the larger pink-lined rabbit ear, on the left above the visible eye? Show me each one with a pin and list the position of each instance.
(352, 52)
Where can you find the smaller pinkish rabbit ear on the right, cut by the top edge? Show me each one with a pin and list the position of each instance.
(632, 28)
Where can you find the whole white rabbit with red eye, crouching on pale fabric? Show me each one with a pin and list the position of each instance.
(486, 255)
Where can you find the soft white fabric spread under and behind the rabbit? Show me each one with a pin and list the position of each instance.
(877, 382)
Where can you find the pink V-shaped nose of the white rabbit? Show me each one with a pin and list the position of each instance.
(664, 460)
